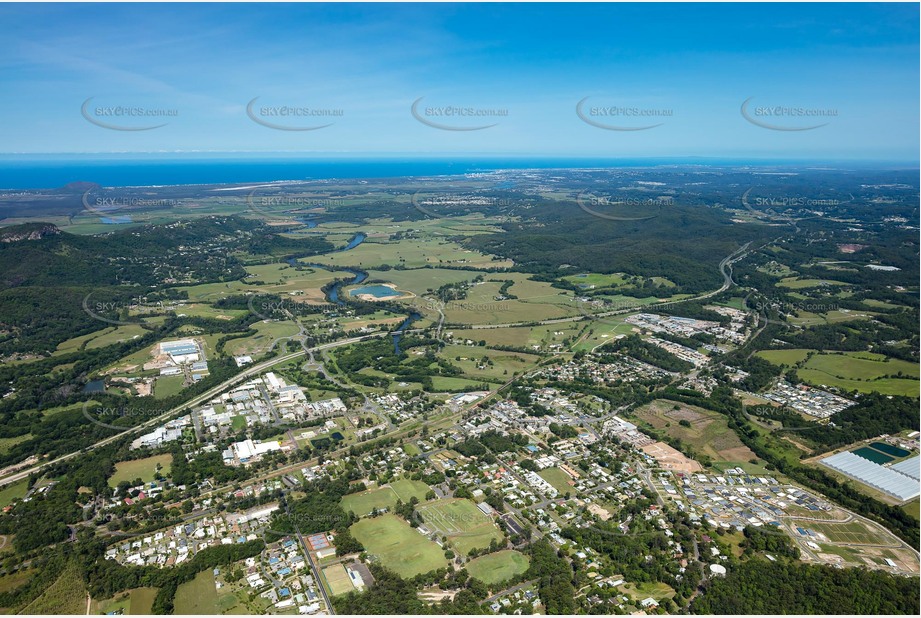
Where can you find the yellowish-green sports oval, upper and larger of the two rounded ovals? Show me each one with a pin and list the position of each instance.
(466, 526)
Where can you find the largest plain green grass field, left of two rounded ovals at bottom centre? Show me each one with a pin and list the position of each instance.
(398, 546)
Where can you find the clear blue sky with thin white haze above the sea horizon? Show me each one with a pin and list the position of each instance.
(695, 63)
